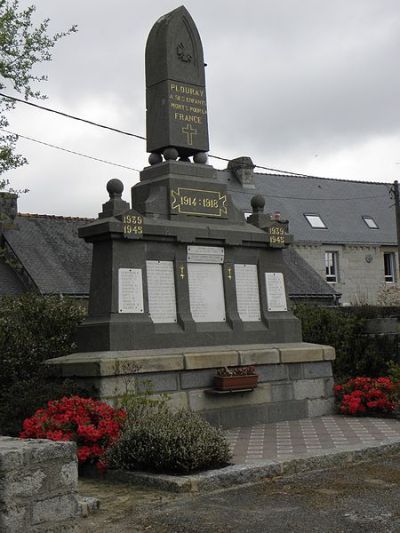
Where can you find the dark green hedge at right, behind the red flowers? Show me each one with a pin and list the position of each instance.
(357, 354)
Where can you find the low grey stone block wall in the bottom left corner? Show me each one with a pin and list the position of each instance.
(38, 486)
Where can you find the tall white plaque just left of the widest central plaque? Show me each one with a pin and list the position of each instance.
(161, 291)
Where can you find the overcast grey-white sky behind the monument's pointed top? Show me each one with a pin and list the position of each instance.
(310, 86)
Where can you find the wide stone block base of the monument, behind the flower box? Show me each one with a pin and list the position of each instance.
(295, 379)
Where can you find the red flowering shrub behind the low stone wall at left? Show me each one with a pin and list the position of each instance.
(92, 424)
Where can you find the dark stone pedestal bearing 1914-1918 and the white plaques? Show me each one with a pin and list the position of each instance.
(181, 218)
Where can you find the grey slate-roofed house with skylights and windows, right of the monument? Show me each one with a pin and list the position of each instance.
(345, 230)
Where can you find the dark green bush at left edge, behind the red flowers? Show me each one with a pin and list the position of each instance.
(33, 328)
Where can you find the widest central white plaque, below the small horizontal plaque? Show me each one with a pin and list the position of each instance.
(206, 292)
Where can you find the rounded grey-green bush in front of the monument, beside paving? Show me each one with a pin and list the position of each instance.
(170, 442)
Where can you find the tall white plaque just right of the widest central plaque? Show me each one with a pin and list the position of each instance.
(247, 292)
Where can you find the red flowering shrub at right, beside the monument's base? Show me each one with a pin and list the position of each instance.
(367, 396)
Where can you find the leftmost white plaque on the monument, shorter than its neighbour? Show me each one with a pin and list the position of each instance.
(130, 290)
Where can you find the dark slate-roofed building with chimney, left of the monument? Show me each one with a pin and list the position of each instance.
(42, 253)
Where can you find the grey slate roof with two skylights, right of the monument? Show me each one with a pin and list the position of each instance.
(340, 203)
